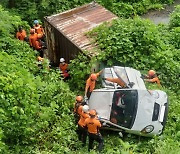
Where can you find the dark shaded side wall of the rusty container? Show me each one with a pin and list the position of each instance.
(59, 45)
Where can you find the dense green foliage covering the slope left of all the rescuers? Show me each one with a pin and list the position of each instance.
(35, 103)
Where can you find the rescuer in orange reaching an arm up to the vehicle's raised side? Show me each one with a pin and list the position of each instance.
(91, 83)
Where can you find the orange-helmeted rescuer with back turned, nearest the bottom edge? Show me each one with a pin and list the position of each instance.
(93, 125)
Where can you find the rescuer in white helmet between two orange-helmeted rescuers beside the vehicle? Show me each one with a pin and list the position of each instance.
(82, 132)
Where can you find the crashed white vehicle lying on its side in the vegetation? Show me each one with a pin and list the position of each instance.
(133, 110)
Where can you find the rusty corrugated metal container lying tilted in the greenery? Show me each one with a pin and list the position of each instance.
(69, 30)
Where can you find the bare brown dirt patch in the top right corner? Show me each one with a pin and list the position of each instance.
(161, 16)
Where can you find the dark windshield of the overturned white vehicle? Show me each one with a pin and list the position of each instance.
(124, 107)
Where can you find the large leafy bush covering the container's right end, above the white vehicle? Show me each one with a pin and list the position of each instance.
(137, 43)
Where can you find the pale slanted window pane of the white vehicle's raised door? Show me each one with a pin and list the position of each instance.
(121, 73)
